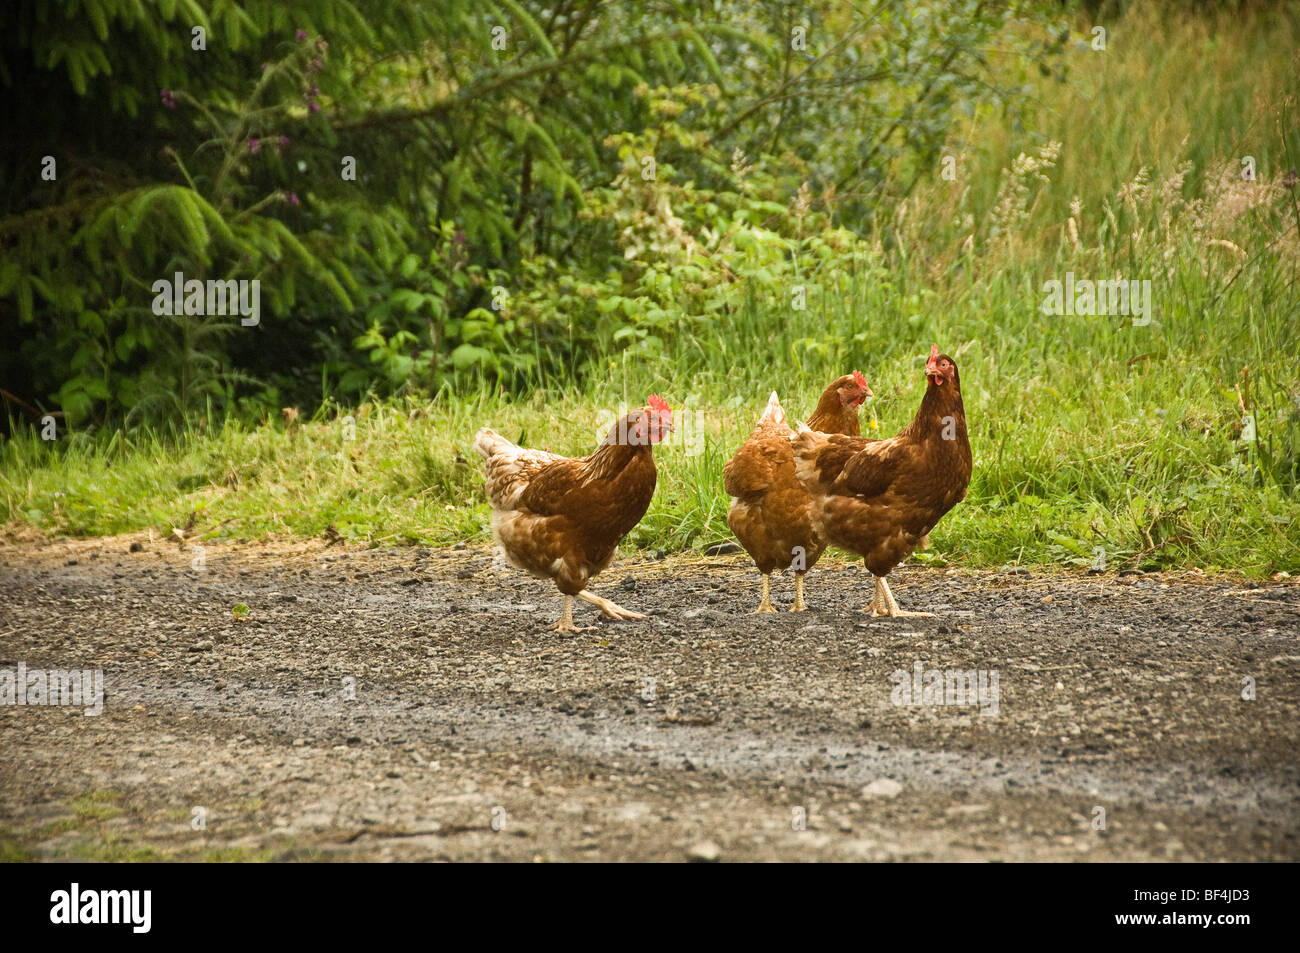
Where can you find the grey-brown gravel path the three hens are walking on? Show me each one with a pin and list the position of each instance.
(1116, 694)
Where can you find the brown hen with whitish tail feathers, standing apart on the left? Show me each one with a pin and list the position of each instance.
(564, 519)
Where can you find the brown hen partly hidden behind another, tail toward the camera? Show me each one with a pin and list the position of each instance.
(772, 512)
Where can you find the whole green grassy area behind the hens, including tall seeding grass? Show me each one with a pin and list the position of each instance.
(1087, 432)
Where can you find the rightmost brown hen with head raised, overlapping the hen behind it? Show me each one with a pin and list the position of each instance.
(882, 499)
